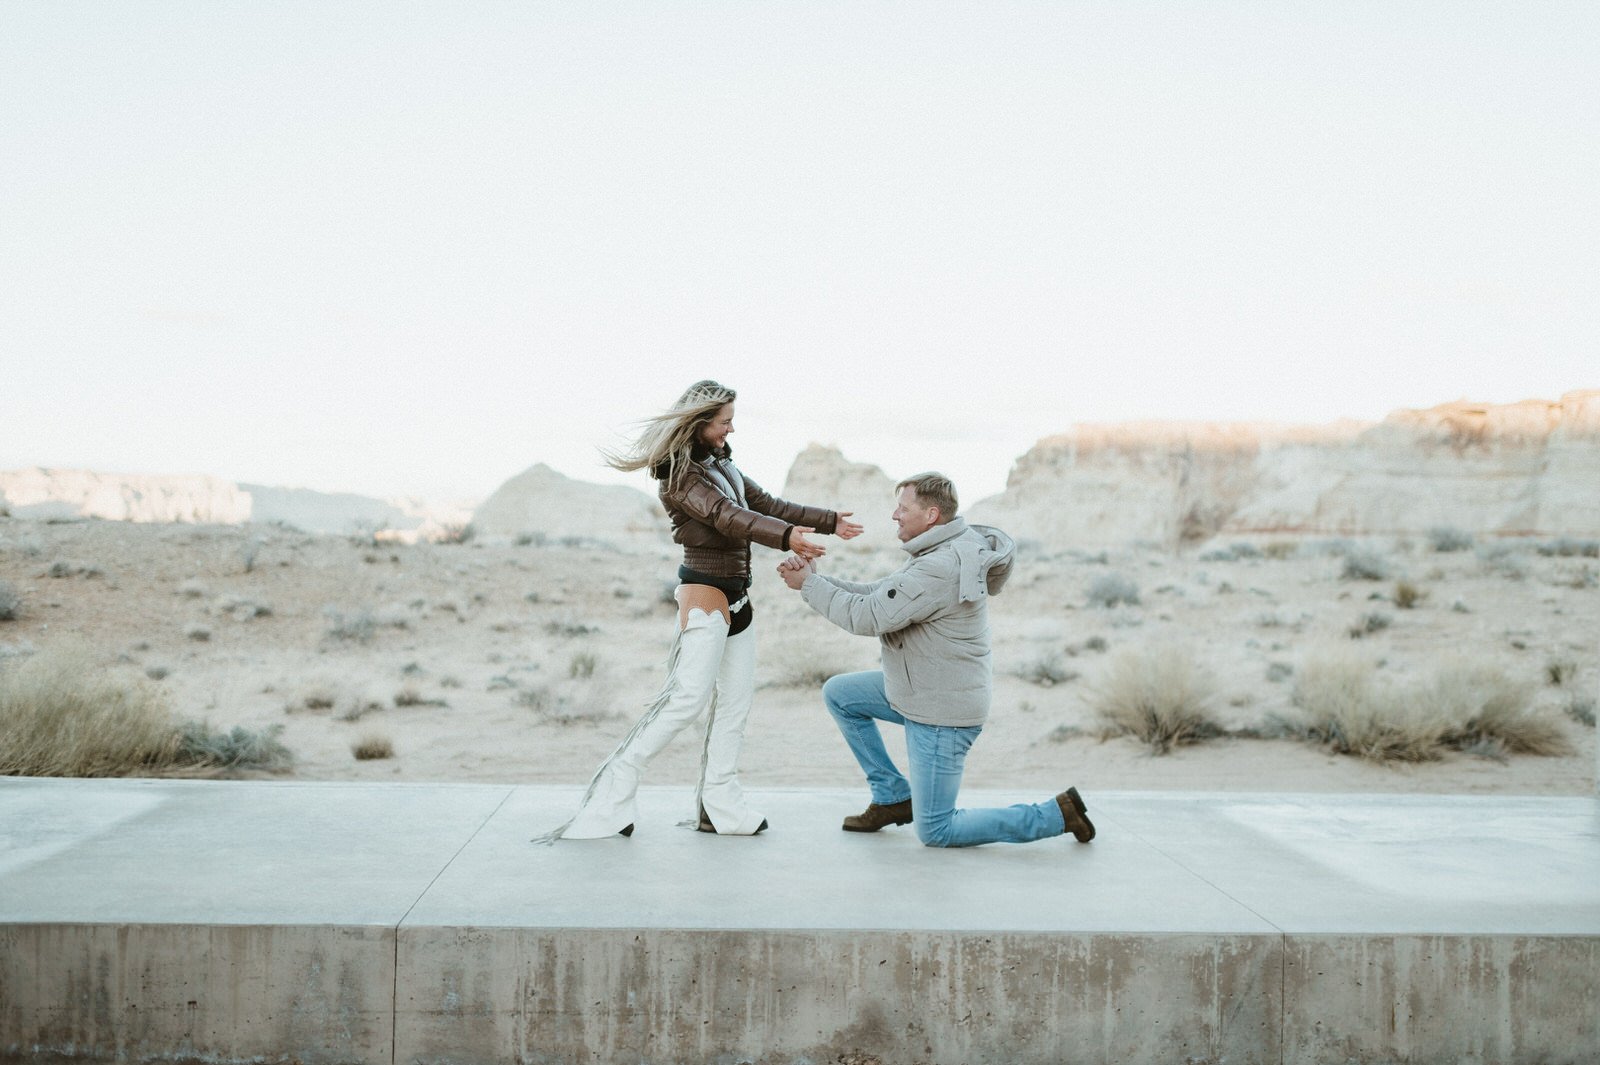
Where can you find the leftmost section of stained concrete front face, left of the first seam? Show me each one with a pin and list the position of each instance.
(207, 994)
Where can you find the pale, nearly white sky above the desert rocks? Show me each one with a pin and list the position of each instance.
(414, 249)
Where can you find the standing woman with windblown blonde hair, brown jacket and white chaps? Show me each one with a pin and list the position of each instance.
(716, 516)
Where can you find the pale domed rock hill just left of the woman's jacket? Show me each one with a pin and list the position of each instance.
(545, 501)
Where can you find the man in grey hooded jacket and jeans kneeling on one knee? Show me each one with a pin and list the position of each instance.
(932, 620)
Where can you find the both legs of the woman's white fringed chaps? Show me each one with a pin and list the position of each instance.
(711, 677)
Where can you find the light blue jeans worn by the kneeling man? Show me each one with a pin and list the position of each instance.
(937, 760)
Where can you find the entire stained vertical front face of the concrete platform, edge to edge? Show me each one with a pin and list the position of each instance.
(545, 997)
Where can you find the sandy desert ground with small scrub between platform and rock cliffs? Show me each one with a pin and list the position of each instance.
(529, 661)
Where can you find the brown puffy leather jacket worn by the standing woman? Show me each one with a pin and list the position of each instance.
(718, 513)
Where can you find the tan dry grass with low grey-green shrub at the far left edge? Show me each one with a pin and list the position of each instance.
(62, 716)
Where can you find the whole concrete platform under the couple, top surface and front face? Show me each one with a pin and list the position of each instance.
(263, 922)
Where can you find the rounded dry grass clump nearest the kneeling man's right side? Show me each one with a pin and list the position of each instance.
(1158, 695)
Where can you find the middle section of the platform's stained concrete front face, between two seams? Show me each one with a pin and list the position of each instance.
(471, 997)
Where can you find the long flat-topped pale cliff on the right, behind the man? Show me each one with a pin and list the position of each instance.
(1527, 468)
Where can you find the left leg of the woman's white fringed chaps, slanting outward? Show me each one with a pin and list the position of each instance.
(612, 802)
